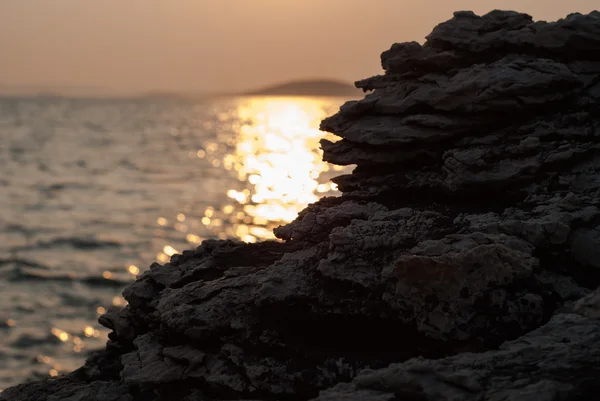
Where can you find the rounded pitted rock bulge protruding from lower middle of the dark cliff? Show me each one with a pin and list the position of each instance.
(455, 296)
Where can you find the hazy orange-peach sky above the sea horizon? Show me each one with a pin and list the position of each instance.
(213, 45)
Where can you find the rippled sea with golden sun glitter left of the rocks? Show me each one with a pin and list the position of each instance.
(92, 191)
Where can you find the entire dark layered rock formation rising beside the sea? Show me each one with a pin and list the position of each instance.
(460, 263)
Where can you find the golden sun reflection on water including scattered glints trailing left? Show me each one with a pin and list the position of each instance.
(275, 157)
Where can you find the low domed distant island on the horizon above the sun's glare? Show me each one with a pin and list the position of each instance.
(315, 87)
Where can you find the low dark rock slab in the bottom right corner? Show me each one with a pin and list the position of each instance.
(560, 360)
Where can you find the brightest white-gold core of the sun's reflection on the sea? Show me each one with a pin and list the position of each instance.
(278, 155)
